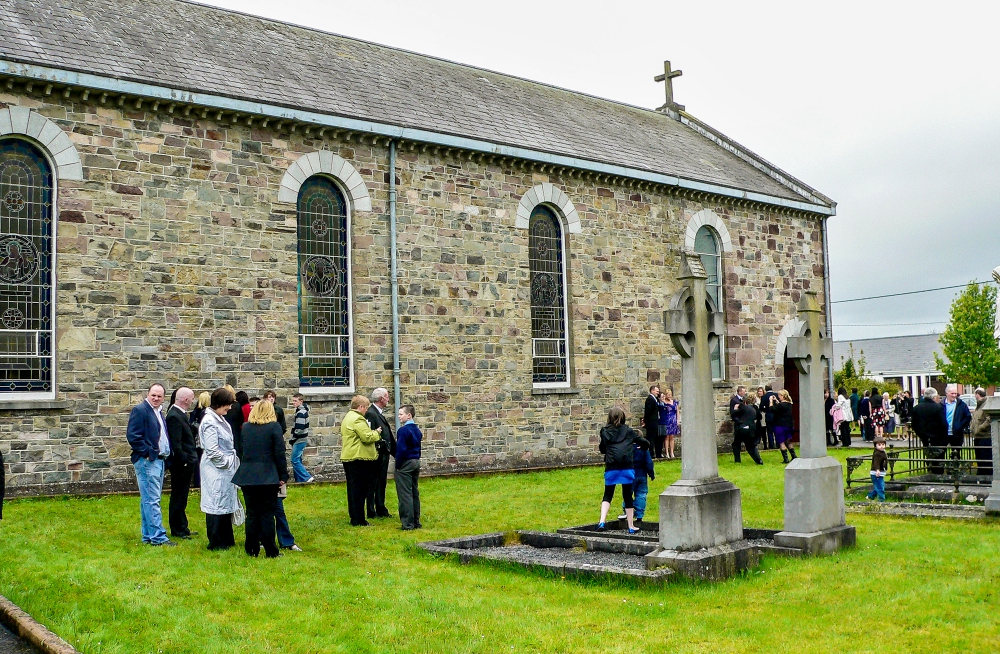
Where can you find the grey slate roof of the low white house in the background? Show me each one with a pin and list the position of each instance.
(893, 354)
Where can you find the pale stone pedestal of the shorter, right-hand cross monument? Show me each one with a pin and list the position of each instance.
(814, 507)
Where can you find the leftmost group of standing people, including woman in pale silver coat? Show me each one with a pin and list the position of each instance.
(212, 443)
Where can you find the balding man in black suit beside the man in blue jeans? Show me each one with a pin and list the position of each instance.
(182, 462)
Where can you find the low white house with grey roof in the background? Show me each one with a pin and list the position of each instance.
(905, 360)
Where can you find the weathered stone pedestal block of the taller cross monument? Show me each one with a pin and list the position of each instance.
(700, 513)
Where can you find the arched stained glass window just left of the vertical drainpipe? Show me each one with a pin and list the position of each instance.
(325, 351)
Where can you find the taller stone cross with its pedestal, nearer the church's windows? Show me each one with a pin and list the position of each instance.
(701, 509)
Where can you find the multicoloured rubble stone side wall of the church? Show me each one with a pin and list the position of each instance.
(177, 264)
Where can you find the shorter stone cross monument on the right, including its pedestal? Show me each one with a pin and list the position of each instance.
(814, 482)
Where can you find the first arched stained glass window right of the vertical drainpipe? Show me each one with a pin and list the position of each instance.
(549, 346)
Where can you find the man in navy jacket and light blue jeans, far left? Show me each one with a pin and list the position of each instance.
(147, 434)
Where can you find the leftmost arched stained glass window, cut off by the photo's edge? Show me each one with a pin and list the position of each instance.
(26, 347)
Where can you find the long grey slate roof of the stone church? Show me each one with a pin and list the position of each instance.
(192, 47)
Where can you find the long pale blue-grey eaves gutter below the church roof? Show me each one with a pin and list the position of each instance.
(101, 83)
